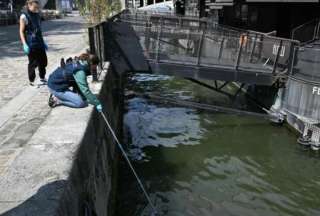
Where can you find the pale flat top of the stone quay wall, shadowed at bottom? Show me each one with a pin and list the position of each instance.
(30, 184)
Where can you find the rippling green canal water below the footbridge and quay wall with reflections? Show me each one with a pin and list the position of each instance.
(201, 163)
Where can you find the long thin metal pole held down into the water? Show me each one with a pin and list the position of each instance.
(130, 165)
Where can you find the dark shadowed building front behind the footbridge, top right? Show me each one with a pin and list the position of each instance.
(260, 15)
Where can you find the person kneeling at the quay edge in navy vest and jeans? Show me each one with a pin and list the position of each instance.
(68, 83)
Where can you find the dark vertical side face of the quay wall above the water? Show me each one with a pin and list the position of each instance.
(92, 182)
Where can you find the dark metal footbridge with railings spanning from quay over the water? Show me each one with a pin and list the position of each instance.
(192, 48)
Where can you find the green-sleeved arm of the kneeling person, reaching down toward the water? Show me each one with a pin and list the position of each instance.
(81, 80)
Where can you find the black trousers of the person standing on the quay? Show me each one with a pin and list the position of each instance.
(37, 58)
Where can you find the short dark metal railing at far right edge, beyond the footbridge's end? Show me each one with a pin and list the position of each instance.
(307, 32)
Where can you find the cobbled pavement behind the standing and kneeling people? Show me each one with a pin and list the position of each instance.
(64, 37)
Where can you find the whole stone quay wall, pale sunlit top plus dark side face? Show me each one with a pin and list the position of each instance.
(66, 168)
